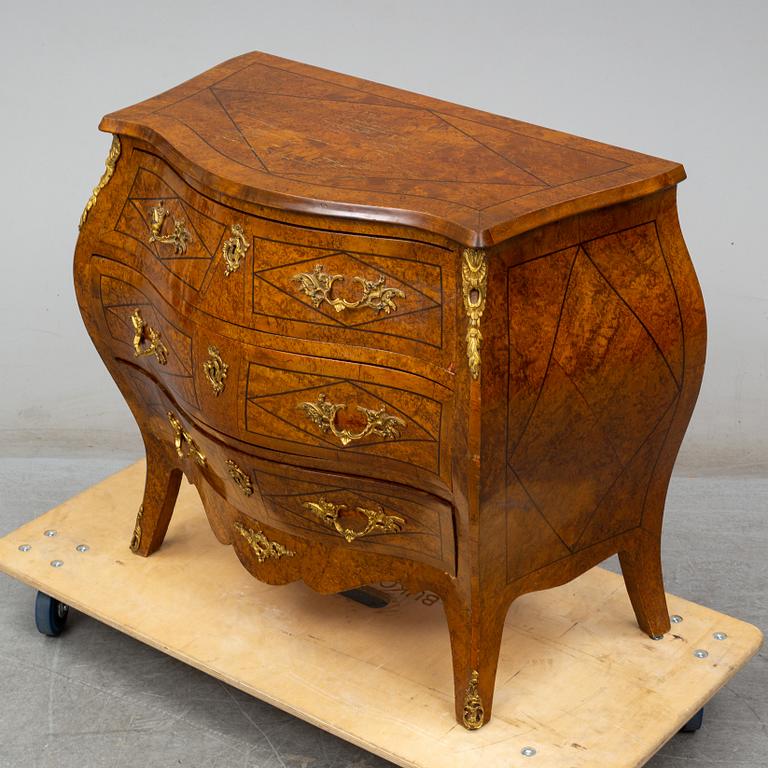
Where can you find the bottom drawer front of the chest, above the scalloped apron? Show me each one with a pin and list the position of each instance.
(343, 512)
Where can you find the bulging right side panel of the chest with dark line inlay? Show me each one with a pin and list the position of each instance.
(598, 338)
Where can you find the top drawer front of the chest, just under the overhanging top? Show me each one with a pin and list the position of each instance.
(377, 292)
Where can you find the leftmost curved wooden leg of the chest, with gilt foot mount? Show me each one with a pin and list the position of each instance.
(161, 488)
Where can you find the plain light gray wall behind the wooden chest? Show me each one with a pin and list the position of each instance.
(683, 80)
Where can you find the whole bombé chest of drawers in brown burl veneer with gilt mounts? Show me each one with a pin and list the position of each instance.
(392, 338)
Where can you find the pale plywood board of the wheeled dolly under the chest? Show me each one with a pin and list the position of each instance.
(582, 687)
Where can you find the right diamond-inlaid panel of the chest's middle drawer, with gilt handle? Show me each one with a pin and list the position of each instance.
(298, 403)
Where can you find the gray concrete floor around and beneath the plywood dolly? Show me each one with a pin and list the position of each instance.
(98, 699)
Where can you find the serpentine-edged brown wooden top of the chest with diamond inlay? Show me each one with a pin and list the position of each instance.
(280, 133)
